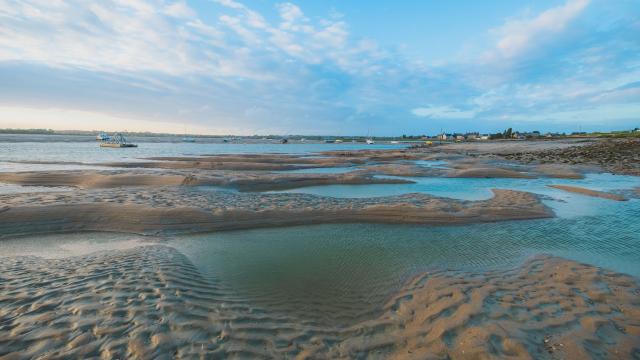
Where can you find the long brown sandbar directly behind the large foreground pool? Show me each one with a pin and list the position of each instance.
(179, 209)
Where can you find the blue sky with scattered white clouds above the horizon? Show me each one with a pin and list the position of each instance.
(331, 67)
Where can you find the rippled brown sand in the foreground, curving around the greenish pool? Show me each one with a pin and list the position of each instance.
(151, 301)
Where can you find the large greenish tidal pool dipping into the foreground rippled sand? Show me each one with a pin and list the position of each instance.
(340, 274)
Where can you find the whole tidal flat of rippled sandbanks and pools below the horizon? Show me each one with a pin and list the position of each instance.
(443, 251)
